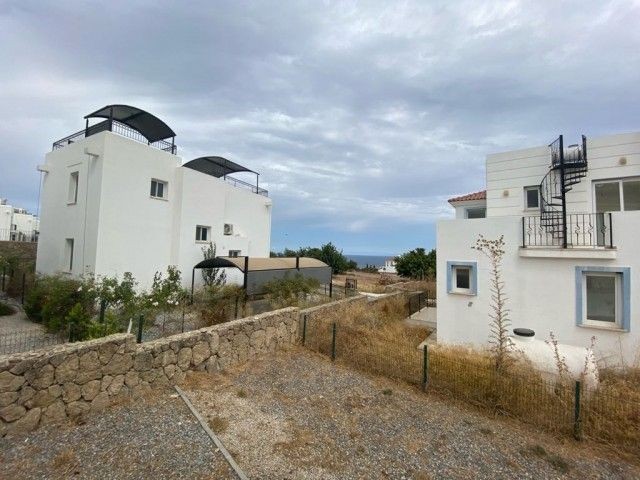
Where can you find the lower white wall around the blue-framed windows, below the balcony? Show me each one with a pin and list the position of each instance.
(541, 291)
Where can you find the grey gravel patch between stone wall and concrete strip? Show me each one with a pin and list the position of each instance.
(157, 437)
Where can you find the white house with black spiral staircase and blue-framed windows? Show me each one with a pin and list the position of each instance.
(570, 216)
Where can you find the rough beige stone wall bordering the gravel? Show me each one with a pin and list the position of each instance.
(72, 380)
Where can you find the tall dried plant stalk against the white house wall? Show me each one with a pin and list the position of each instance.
(501, 343)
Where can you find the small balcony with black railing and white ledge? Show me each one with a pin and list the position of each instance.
(589, 235)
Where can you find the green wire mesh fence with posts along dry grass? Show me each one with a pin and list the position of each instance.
(565, 407)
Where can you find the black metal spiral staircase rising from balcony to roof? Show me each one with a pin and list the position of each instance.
(568, 167)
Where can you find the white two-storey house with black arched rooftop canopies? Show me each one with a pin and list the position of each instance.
(116, 198)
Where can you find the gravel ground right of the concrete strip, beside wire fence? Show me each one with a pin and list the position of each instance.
(296, 415)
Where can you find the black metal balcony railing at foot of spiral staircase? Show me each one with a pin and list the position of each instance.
(583, 230)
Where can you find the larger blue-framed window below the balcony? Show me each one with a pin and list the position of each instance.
(603, 297)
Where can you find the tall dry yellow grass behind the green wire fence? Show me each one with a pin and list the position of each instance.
(374, 339)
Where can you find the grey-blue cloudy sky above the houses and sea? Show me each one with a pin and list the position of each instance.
(362, 117)
